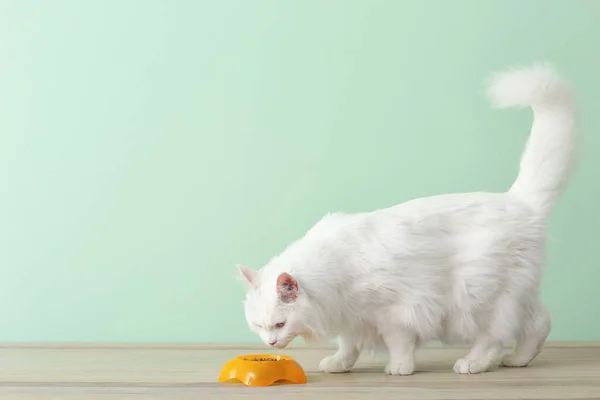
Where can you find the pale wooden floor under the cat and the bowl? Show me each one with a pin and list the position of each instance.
(190, 372)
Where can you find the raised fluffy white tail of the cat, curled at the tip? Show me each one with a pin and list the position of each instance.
(550, 151)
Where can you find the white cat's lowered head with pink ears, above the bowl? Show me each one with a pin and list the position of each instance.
(275, 307)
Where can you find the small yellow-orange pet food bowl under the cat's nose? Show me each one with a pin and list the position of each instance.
(262, 370)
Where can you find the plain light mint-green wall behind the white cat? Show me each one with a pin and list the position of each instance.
(148, 146)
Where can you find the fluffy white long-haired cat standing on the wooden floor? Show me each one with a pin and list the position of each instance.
(461, 268)
